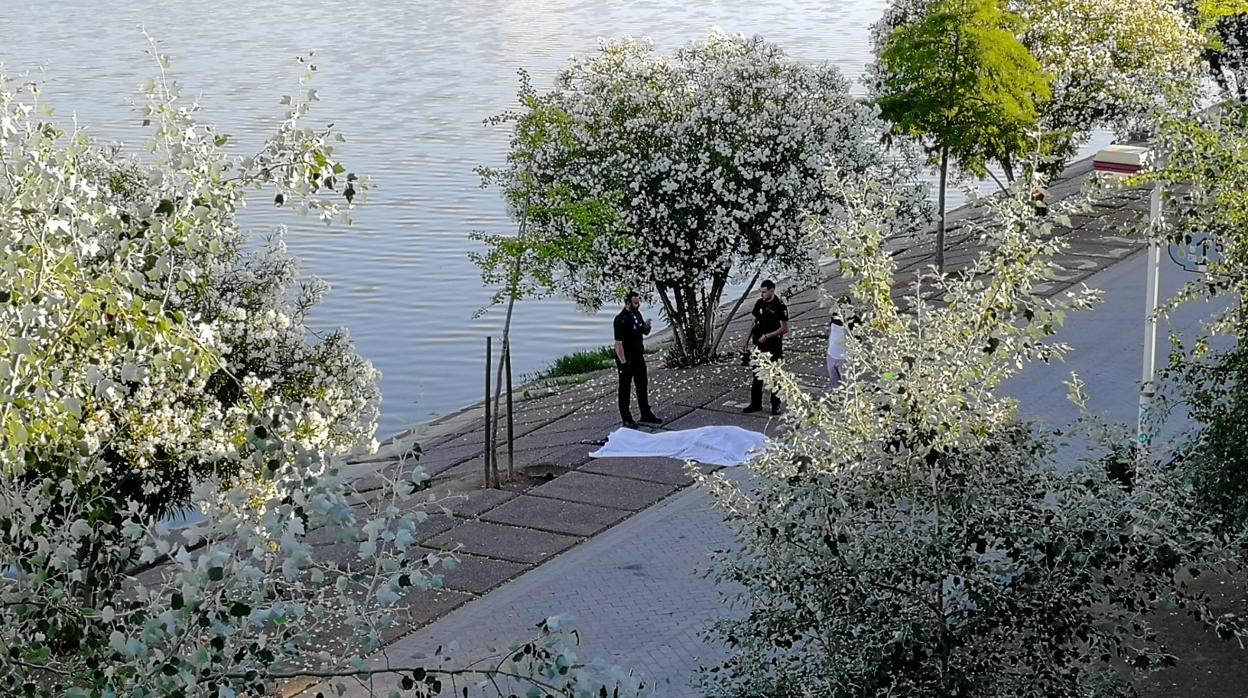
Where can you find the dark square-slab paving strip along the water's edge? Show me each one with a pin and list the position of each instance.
(561, 498)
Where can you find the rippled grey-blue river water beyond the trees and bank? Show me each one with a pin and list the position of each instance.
(410, 83)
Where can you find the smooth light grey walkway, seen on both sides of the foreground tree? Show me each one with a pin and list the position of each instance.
(640, 594)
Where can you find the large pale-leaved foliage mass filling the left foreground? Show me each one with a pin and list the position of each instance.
(152, 363)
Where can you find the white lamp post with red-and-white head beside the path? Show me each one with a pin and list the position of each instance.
(1120, 162)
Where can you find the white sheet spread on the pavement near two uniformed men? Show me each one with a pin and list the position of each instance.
(714, 446)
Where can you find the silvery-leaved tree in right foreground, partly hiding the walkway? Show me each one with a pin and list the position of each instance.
(912, 538)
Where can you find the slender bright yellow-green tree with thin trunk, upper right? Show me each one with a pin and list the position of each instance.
(959, 79)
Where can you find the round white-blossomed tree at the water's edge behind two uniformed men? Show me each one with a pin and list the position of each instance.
(677, 175)
